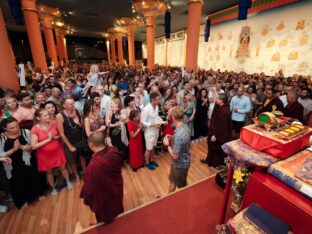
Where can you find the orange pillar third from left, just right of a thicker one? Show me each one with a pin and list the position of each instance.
(48, 34)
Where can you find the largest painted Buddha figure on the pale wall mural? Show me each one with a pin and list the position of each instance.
(243, 51)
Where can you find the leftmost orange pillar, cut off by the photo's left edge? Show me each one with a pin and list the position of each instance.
(8, 78)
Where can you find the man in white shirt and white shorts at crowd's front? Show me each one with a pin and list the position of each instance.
(151, 121)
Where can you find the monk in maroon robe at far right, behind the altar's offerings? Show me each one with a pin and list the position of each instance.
(294, 109)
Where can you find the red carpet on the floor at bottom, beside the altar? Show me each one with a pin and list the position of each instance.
(192, 210)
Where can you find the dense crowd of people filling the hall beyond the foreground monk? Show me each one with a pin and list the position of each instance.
(47, 124)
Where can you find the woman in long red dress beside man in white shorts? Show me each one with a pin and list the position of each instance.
(135, 142)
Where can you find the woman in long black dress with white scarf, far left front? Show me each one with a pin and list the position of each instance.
(23, 177)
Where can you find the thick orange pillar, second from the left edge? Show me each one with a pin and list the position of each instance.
(32, 25)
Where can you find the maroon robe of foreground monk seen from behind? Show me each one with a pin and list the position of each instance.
(103, 185)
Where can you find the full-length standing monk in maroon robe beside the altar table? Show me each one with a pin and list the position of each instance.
(219, 132)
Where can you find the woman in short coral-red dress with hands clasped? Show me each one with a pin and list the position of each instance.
(50, 152)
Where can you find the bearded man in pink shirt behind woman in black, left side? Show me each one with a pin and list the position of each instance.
(25, 113)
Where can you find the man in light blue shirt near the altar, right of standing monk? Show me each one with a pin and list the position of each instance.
(240, 106)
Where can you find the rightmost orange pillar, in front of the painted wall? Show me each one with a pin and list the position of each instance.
(193, 27)
